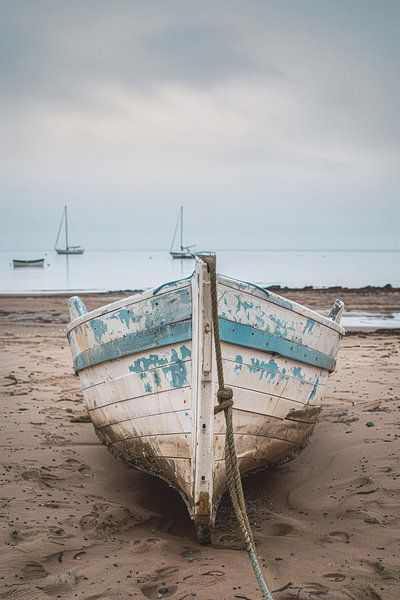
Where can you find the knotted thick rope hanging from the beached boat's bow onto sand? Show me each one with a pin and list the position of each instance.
(225, 403)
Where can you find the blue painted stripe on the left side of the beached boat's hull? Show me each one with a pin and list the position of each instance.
(132, 343)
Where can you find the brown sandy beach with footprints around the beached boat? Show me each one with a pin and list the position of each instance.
(76, 523)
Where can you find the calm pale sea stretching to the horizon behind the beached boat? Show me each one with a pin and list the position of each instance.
(122, 270)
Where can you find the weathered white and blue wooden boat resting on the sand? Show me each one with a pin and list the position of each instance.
(147, 369)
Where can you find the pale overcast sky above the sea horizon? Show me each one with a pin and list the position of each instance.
(275, 123)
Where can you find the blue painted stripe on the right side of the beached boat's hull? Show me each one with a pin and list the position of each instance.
(249, 337)
